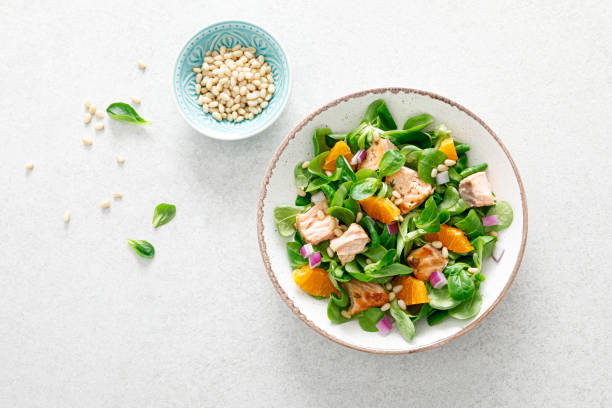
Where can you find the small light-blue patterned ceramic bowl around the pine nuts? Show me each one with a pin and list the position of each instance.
(230, 33)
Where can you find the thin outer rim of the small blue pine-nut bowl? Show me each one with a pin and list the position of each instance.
(256, 130)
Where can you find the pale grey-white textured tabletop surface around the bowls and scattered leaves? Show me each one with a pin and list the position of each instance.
(84, 323)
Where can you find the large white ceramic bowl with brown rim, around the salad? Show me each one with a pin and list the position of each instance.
(343, 115)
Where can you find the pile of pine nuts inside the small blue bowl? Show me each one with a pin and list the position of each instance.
(233, 84)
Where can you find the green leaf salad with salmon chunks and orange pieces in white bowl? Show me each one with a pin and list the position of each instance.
(391, 226)
